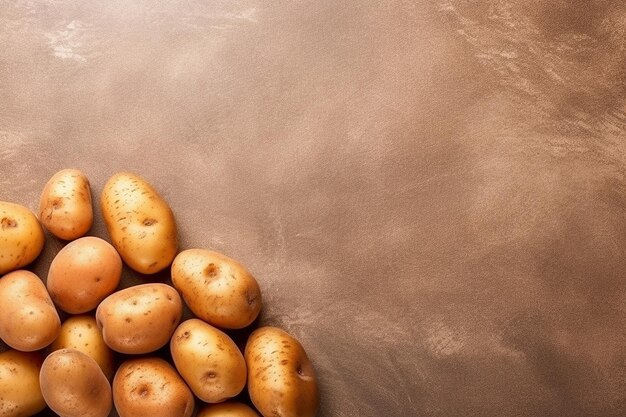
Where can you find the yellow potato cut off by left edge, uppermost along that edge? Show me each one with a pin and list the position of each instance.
(21, 237)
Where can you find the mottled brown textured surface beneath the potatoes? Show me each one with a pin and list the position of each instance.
(431, 193)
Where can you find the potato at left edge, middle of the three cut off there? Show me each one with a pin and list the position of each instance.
(29, 320)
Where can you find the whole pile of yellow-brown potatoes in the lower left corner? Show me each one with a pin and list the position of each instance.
(103, 355)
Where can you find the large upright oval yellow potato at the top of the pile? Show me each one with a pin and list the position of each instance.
(140, 223)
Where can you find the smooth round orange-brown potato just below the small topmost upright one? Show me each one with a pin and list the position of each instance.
(84, 273)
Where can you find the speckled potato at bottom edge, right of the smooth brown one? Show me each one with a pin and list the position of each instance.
(151, 387)
